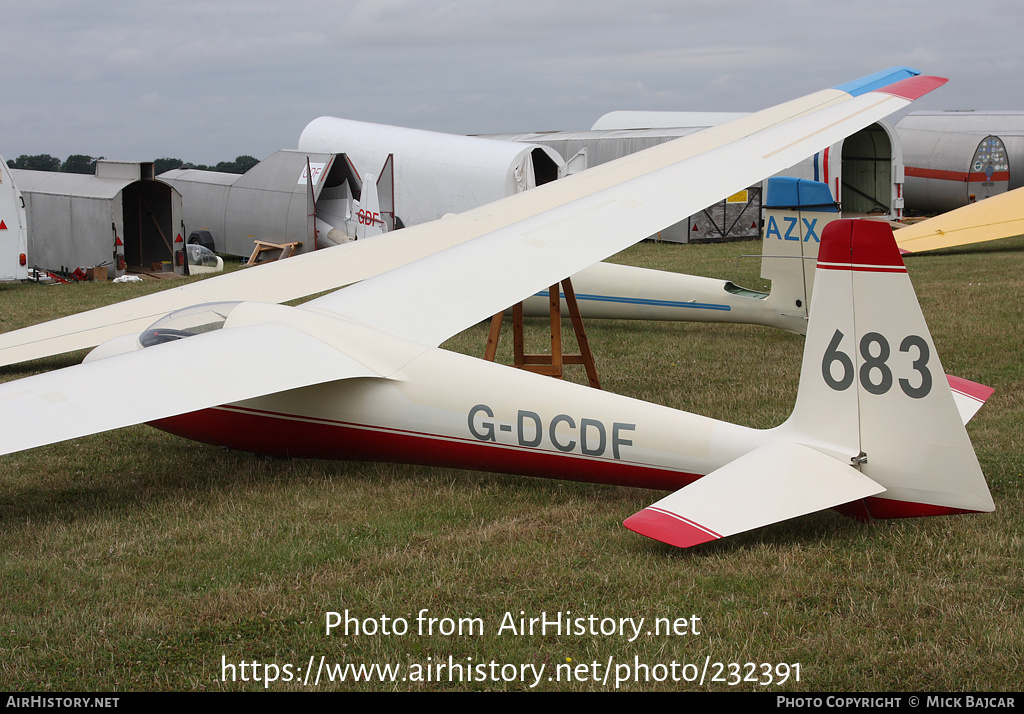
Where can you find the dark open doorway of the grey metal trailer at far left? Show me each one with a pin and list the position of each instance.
(148, 228)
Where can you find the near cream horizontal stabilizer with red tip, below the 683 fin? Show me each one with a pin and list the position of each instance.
(774, 483)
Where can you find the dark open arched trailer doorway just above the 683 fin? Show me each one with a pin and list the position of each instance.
(868, 165)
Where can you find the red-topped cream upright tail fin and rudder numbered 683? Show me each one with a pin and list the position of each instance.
(873, 387)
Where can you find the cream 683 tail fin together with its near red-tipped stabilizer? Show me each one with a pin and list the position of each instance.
(875, 434)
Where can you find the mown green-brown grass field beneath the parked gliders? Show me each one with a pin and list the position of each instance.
(138, 561)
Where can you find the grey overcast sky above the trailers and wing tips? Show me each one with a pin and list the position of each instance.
(208, 81)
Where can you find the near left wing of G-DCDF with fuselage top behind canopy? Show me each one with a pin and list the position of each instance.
(273, 349)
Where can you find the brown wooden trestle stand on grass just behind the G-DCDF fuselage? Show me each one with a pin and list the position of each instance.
(552, 364)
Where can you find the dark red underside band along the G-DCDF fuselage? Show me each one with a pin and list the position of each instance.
(297, 437)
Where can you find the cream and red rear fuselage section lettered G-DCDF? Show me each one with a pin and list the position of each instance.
(451, 410)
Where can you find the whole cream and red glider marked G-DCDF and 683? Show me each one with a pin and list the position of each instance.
(875, 431)
